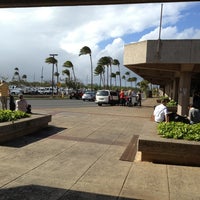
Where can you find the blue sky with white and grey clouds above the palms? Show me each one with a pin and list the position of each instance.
(29, 35)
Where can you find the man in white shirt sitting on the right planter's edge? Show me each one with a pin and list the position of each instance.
(160, 112)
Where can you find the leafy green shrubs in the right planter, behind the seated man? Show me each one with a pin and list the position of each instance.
(179, 130)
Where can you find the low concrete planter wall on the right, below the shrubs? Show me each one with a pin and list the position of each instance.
(169, 151)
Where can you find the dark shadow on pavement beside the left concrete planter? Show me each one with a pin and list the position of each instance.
(34, 137)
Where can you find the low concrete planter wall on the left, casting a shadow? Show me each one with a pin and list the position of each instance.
(9, 130)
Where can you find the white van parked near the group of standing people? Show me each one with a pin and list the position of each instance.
(106, 97)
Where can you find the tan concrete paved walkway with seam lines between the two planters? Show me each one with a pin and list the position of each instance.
(78, 158)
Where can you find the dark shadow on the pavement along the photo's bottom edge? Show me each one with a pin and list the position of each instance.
(37, 192)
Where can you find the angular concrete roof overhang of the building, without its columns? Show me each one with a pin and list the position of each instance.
(161, 61)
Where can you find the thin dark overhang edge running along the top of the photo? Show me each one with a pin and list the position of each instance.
(37, 3)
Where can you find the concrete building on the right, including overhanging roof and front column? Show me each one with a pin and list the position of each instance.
(172, 64)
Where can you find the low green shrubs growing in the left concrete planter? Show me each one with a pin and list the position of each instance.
(8, 115)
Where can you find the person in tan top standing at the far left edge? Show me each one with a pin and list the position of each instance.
(4, 93)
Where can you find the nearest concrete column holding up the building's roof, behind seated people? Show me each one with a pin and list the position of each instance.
(184, 92)
